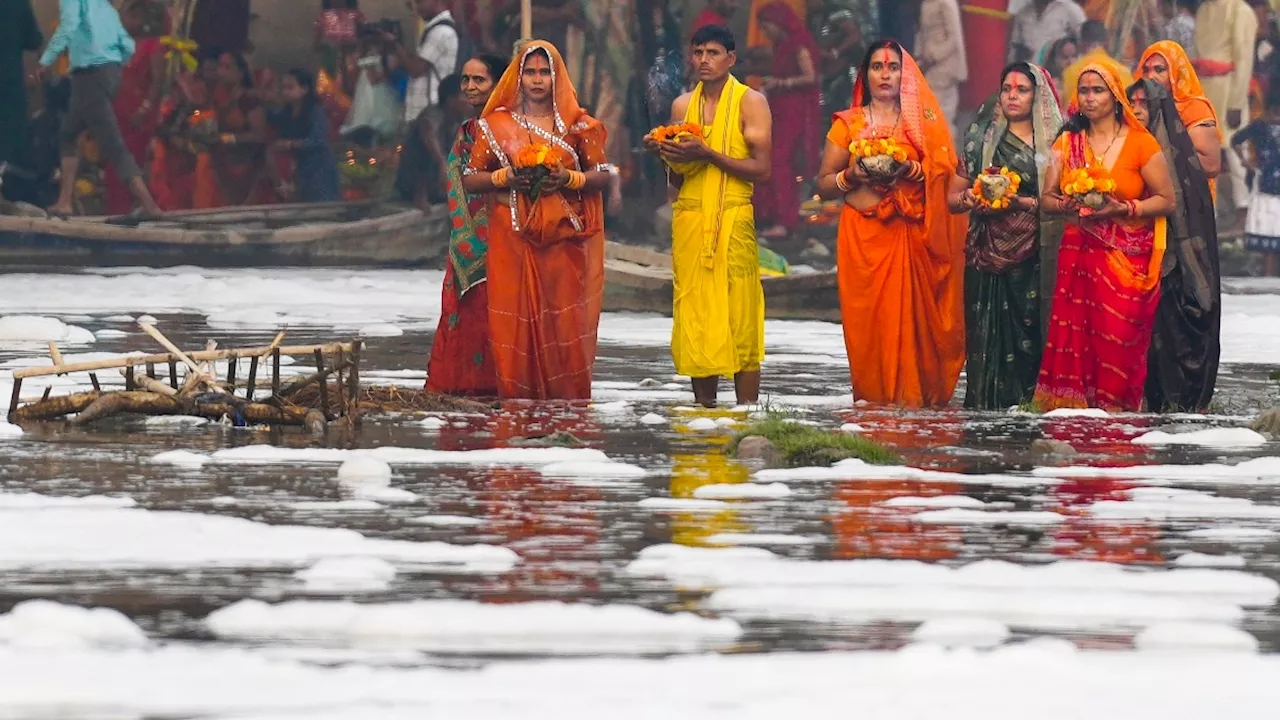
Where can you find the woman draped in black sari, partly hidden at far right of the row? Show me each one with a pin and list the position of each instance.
(1182, 368)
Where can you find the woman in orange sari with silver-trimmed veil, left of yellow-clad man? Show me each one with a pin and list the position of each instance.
(546, 239)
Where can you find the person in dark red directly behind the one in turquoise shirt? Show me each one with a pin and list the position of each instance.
(138, 103)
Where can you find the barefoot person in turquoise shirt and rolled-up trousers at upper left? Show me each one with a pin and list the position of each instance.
(92, 33)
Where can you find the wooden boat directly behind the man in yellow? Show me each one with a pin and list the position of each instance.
(639, 280)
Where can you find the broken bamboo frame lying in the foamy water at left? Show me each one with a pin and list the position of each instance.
(332, 393)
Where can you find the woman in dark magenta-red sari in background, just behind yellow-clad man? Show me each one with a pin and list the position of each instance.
(797, 106)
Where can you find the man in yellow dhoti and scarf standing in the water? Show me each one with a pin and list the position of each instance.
(719, 302)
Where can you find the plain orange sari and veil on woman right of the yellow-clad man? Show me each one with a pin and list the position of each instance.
(907, 265)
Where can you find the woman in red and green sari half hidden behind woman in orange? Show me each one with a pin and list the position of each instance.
(461, 359)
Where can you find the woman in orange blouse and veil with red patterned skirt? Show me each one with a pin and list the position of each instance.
(1109, 265)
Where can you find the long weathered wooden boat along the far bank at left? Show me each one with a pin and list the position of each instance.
(301, 235)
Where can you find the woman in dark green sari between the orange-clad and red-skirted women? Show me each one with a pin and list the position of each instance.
(1012, 252)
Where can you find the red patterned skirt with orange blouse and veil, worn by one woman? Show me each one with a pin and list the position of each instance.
(1108, 282)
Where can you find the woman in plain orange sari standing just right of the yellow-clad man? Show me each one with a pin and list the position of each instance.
(900, 253)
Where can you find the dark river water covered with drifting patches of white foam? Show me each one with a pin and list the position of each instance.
(445, 566)
